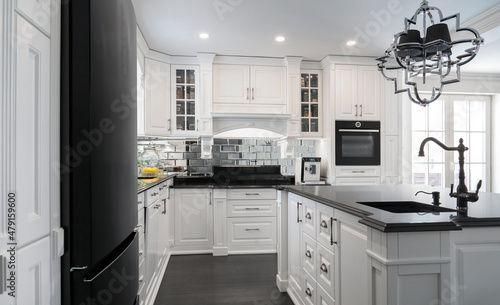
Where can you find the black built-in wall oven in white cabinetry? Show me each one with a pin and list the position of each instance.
(357, 142)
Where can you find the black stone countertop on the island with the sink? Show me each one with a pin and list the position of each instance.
(484, 212)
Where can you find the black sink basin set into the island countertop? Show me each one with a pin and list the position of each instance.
(406, 207)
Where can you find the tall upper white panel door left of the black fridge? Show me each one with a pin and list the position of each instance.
(33, 166)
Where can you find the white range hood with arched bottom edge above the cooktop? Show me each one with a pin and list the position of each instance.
(232, 125)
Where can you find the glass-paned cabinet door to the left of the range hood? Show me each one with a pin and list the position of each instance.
(185, 84)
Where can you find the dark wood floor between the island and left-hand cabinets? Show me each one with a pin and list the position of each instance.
(221, 280)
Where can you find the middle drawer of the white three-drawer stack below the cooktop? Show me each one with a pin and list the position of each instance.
(250, 208)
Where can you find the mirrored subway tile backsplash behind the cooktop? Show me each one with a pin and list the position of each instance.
(186, 153)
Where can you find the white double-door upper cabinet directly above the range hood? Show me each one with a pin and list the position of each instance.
(240, 88)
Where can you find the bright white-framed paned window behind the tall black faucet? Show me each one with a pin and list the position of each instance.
(448, 119)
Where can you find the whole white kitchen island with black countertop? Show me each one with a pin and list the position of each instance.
(335, 250)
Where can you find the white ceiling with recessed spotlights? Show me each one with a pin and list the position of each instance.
(312, 28)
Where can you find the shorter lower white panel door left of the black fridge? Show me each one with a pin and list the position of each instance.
(34, 273)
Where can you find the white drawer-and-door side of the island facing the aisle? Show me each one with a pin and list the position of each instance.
(327, 260)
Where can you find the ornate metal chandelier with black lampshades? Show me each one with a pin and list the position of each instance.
(428, 56)
